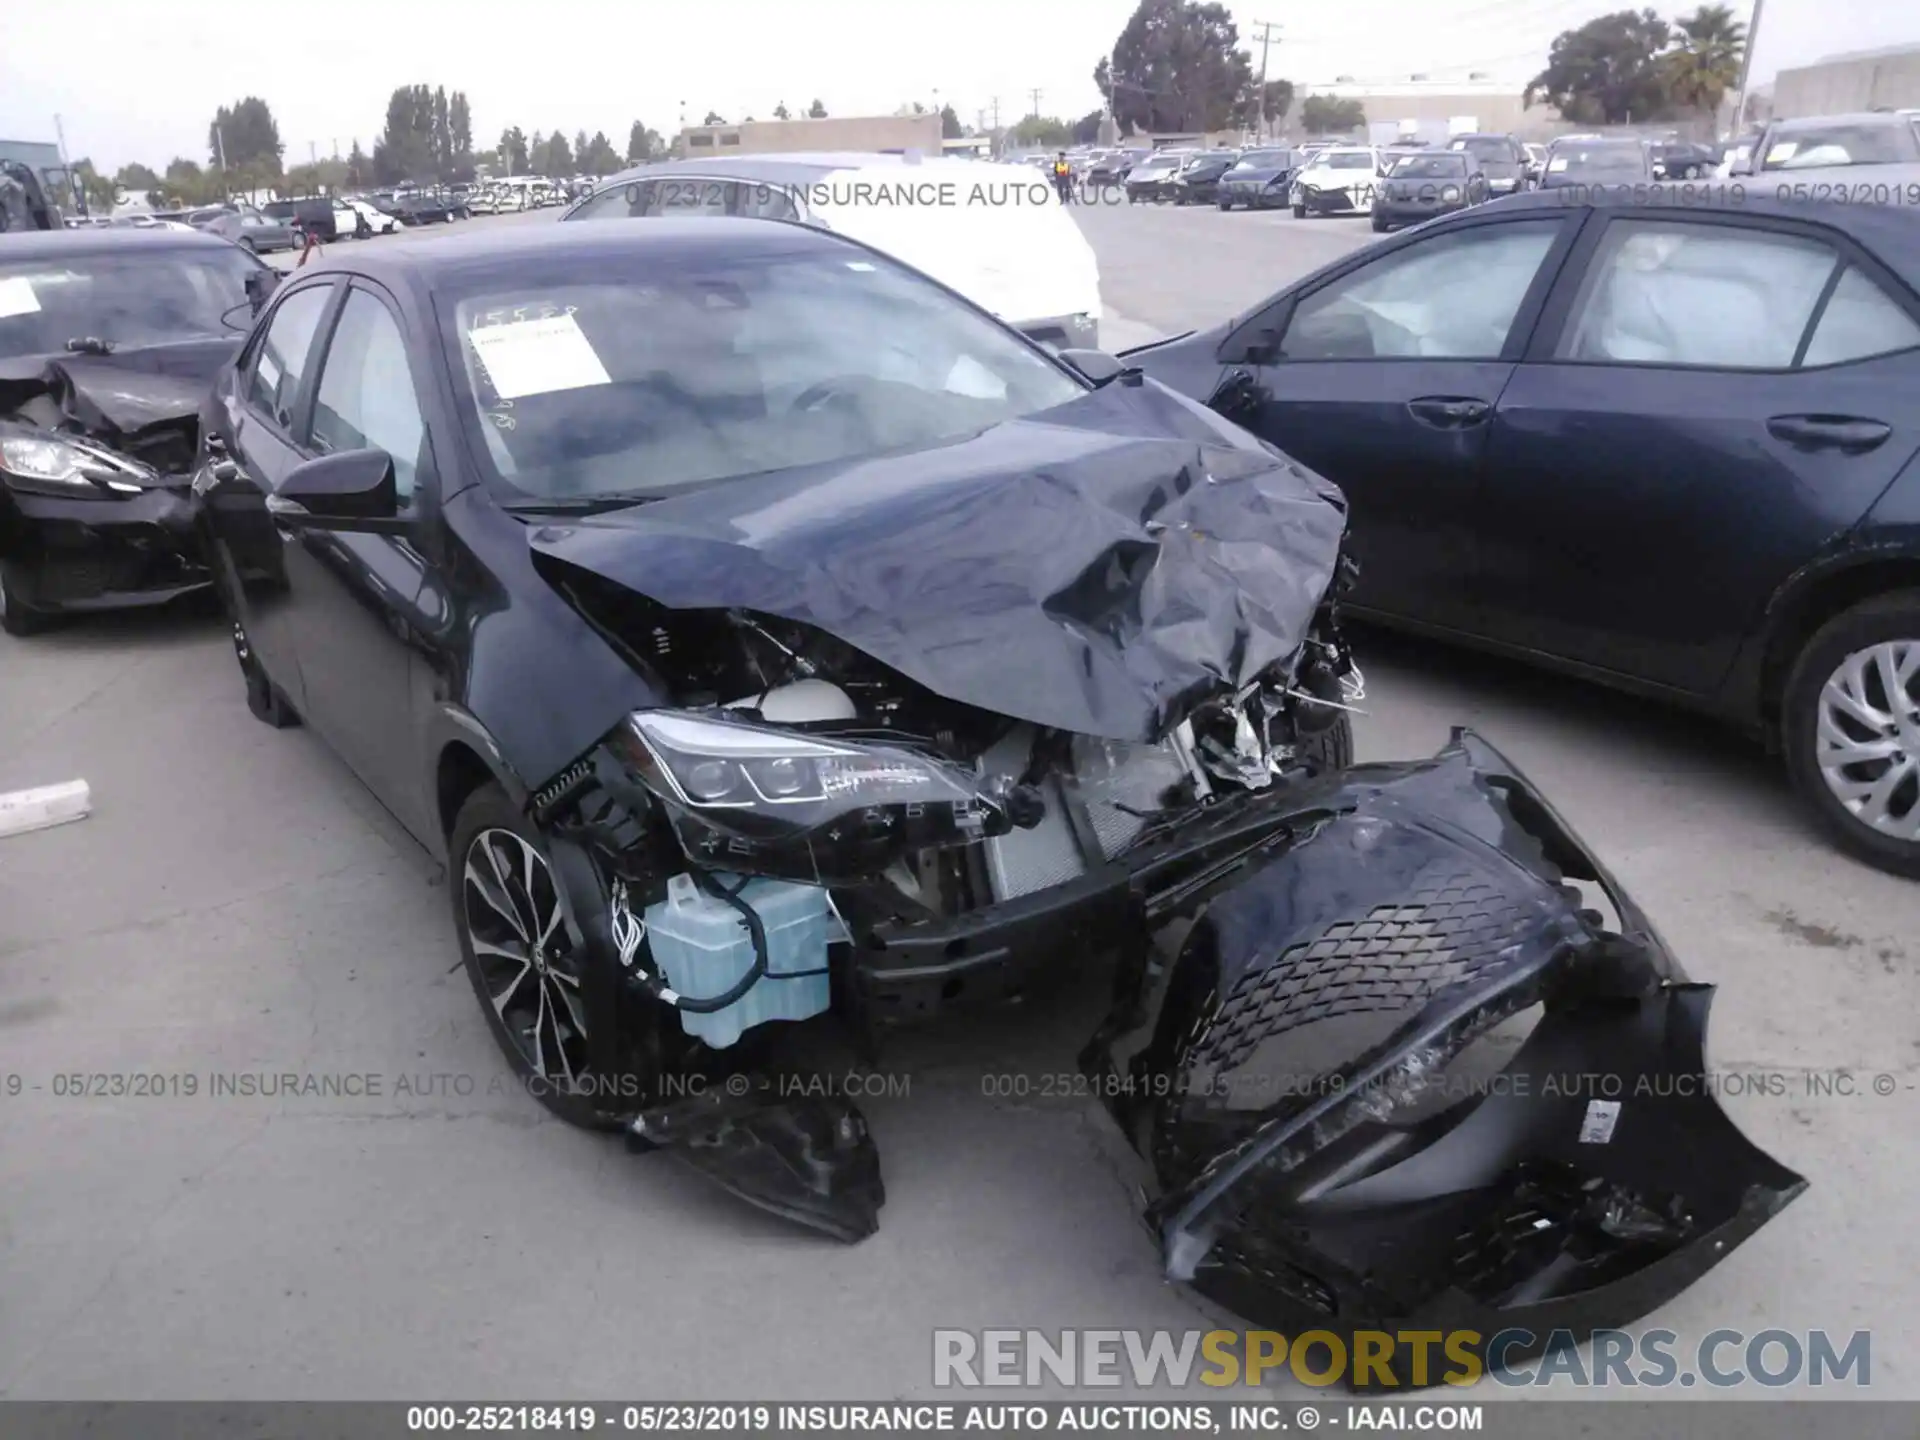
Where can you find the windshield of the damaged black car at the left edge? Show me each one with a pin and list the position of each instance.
(130, 300)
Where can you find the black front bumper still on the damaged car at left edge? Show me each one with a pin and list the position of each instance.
(68, 556)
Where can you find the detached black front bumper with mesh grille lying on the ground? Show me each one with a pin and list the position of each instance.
(1303, 1065)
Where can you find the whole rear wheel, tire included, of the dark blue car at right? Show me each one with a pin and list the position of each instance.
(1852, 731)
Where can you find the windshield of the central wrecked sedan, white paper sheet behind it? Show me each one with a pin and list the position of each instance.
(613, 379)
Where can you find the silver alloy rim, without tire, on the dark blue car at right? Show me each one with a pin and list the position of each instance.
(1867, 740)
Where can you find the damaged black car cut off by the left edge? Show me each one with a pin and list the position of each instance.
(108, 343)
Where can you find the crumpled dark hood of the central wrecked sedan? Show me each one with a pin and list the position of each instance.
(1101, 567)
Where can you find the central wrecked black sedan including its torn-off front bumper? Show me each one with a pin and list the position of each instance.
(765, 636)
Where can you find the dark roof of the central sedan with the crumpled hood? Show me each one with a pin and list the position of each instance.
(667, 239)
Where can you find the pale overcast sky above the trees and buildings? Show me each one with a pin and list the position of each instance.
(132, 85)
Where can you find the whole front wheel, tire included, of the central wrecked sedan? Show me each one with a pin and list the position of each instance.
(523, 967)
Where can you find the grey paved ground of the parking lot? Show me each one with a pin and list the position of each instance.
(239, 907)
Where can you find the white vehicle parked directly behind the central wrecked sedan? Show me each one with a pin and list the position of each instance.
(996, 233)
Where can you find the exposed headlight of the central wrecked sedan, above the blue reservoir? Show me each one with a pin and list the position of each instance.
(780, 804)
